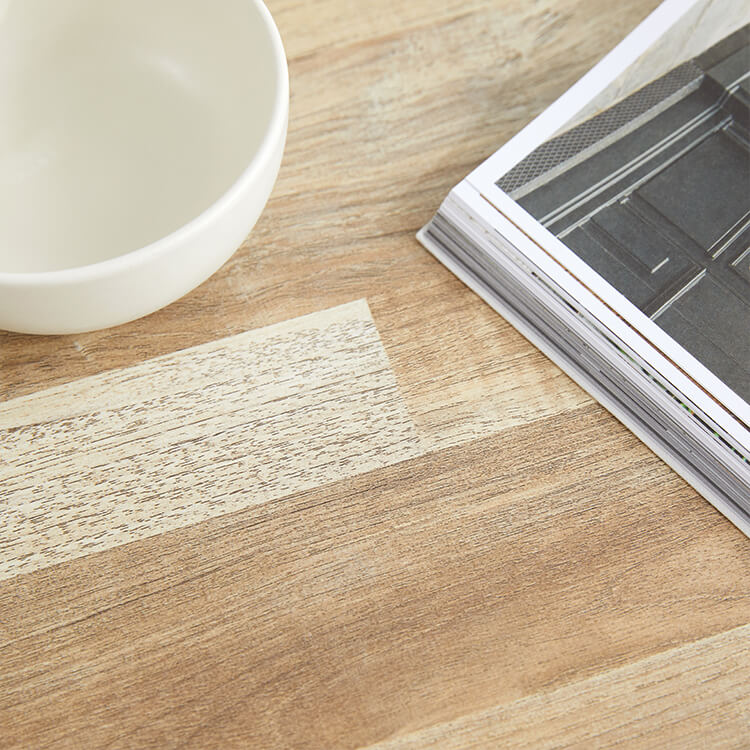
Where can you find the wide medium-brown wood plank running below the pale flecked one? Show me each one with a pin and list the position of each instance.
(378, 606)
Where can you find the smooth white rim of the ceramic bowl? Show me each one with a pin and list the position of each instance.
(133, 258)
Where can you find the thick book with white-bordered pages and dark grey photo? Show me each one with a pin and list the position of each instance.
(614, 233)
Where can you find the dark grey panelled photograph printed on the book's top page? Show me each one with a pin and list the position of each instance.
(654, 194)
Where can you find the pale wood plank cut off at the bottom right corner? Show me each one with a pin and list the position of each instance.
(691, 697)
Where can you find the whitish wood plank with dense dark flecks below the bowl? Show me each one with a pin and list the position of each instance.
(173, 441)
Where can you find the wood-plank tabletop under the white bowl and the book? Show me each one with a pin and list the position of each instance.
(349, 506)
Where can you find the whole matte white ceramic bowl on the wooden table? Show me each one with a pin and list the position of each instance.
(139, 142)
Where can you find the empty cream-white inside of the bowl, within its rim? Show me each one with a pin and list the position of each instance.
(122, 121)
